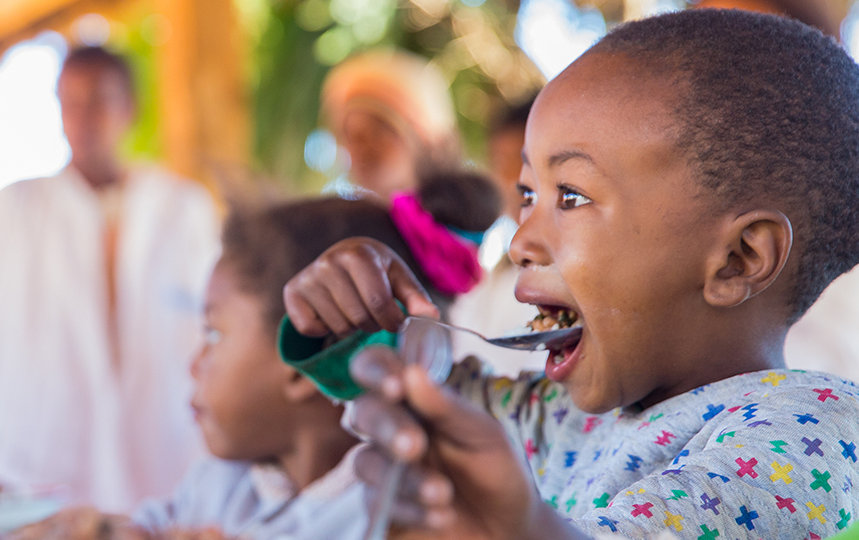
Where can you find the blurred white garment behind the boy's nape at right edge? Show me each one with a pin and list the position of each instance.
(826, 338)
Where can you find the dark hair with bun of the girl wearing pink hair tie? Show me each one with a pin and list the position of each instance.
(267, 247)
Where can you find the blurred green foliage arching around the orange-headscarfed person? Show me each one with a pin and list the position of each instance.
(297, 41)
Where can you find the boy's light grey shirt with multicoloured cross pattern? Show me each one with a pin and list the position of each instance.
(761, 455)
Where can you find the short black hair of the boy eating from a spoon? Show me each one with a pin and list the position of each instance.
(768, 111)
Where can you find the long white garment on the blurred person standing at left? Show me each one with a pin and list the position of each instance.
(111, 430)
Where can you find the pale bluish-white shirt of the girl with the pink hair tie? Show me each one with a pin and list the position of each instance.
(259, 502)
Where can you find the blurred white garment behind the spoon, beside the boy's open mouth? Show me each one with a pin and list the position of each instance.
(491, 309)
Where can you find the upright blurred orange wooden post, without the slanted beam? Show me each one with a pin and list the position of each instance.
(204, 101)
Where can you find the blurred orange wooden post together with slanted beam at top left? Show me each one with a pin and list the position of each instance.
(203, 97)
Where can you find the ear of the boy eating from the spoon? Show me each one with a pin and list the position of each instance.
(754, 252)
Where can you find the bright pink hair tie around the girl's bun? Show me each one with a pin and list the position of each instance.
(449, 261)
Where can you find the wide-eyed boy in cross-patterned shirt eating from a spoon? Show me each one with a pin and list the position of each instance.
(690, 186)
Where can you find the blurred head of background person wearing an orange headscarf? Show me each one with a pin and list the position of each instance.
(392, 112)
